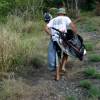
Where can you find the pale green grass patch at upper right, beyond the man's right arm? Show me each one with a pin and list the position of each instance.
(88, 24)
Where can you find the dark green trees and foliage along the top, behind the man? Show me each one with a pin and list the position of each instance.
(31, 9)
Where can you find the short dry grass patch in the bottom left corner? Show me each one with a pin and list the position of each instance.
(15, 90)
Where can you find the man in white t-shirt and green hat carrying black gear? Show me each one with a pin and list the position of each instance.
(61, 22)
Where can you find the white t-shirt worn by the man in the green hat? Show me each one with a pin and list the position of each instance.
(59, 22)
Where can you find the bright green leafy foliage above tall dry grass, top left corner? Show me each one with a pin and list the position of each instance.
(26, 8)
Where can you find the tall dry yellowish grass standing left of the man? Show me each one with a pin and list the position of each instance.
(19, 42)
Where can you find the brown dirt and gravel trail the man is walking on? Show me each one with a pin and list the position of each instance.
(46, 88)
